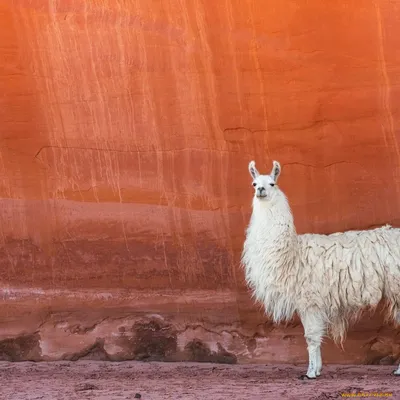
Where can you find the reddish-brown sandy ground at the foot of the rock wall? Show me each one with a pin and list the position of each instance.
(156, 381)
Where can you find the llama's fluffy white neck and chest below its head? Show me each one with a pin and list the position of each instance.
(270, 255)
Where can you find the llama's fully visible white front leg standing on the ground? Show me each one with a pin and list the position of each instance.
(314, 330)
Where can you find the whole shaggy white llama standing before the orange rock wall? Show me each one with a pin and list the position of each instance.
(326, 279)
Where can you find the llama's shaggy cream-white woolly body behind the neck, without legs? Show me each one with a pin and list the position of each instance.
(345, 272)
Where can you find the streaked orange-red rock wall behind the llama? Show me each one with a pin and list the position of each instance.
(126, 128)
